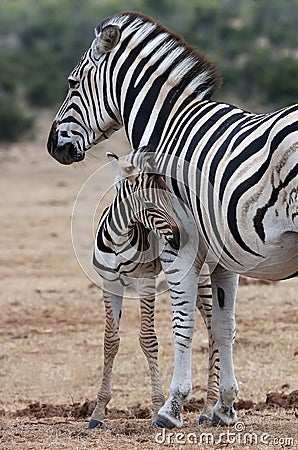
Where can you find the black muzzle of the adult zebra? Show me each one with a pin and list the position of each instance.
(66, 153)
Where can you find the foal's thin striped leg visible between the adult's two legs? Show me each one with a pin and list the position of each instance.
(204, 305)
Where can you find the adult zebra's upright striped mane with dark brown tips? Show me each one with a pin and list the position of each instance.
(188, 69)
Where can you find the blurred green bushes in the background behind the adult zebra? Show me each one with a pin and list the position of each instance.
(254, 44)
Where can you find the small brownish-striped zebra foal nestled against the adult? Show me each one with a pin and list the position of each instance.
(126, 253)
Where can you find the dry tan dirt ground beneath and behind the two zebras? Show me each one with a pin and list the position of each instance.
(52, 321)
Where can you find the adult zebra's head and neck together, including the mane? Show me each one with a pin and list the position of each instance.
(133, 74)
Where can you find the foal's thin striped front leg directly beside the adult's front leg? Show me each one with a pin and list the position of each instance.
(148, 339)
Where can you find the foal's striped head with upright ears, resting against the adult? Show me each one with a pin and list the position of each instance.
(144, 197)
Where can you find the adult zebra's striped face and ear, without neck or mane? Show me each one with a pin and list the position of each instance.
(88, 114)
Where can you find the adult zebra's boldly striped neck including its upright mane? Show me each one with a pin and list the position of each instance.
(154, 72)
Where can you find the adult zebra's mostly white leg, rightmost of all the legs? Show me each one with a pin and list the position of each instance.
(224, 291)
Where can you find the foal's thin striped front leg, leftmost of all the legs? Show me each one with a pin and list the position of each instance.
(113, 308)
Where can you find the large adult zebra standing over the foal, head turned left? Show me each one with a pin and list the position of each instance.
(237, 171)
